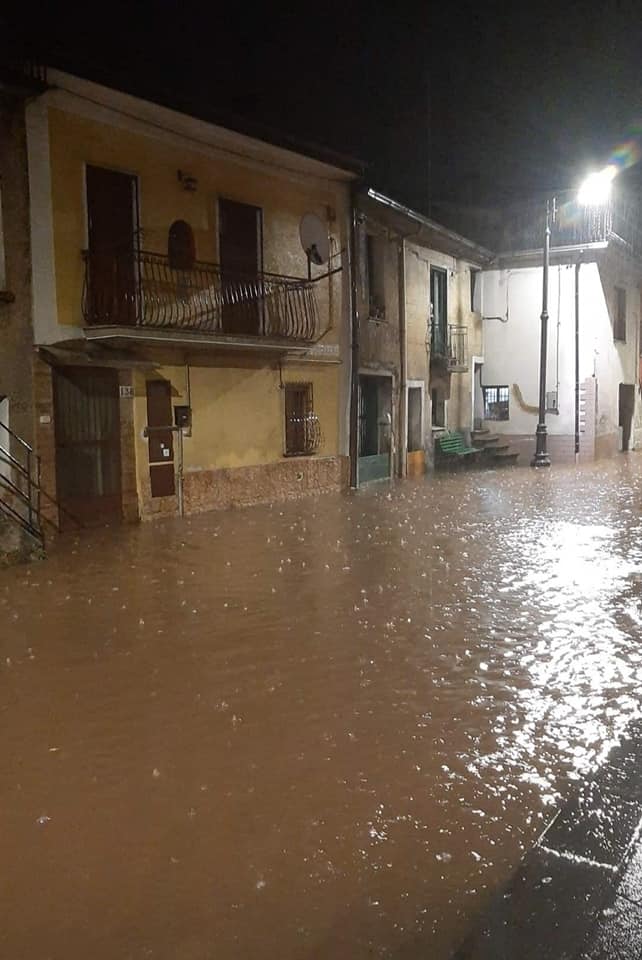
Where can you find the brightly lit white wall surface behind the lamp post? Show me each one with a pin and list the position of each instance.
(512, 344)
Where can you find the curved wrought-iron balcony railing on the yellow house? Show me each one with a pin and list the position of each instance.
(142, 289)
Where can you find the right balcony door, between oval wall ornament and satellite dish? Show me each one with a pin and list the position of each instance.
(240, 242)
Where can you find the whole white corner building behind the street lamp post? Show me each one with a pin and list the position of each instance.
(594, 277)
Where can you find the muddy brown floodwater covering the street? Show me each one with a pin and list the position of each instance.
(322, 729)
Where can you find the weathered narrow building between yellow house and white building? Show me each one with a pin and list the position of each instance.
(420, 335)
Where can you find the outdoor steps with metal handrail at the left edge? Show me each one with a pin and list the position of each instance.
(22, 521)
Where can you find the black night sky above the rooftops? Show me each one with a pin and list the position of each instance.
(466, 101)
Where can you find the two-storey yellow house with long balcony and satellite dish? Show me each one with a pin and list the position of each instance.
(191, 309)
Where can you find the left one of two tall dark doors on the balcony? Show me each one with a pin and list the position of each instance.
(111, 215)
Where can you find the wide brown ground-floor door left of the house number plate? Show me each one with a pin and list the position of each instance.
(87, 429)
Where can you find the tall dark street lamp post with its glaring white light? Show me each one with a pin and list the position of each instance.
(594, 191)
